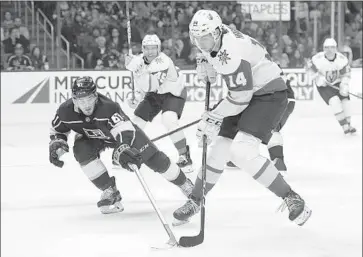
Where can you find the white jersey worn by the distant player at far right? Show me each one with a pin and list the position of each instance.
(334, 71)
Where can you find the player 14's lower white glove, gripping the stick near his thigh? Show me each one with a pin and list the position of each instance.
(209, 125)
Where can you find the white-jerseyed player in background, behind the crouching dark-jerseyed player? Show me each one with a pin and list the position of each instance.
(160, 88)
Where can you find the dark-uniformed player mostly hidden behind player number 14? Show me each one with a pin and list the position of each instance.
(275, 144)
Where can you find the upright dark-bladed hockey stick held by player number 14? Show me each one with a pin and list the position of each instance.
(190, 241)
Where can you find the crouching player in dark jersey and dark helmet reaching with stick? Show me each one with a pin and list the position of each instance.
(100, 123)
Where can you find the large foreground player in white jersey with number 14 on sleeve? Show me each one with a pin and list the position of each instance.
(253, 107)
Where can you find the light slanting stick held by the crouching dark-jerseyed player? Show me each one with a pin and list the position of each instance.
(172, 240)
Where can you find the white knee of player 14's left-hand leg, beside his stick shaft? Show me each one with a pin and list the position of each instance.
(218, 155)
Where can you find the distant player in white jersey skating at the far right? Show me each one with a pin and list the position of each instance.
(331, 73)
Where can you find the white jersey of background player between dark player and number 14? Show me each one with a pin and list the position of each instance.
(160, 76)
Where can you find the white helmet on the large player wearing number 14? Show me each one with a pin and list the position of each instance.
(205, 29)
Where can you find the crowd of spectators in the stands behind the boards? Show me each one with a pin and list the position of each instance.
(97, 30)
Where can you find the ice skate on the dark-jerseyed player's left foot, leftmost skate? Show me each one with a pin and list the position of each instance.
(110, 200)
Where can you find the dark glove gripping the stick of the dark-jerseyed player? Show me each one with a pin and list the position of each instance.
(123, 155)
